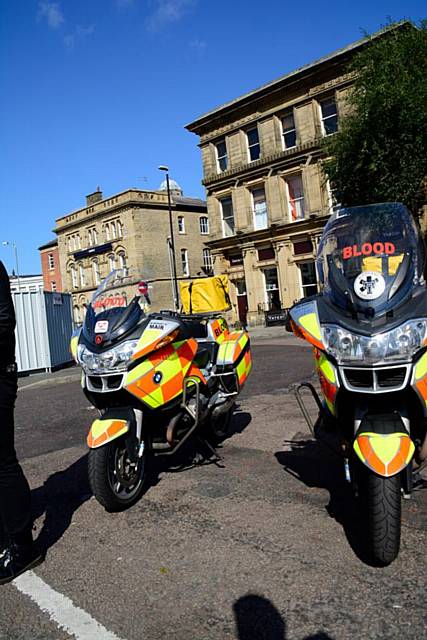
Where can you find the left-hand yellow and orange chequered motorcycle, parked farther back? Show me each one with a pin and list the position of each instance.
(156, 379)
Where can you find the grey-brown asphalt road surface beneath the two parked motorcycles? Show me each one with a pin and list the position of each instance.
(267, 546)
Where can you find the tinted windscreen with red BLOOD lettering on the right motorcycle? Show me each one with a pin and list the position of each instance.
(371, 257)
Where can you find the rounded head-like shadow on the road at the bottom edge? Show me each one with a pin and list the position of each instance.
(258, 619)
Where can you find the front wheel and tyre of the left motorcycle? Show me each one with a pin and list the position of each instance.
(115, 481)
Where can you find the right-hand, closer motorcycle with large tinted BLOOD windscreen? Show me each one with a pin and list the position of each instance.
(368, 329)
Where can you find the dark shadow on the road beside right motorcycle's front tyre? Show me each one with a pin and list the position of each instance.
(316, 466)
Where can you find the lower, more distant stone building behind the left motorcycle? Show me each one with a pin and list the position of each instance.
(131, 229)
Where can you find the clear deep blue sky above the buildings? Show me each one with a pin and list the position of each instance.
(97, 92)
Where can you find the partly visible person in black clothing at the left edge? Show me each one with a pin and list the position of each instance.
(17, 549)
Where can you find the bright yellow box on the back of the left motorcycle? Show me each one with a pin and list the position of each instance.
(205, 295)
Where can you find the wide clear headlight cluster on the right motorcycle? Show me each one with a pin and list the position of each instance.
(399, 344)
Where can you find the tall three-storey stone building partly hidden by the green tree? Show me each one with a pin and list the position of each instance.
(267, 198)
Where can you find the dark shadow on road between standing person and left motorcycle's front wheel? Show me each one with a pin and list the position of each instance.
(58, 498)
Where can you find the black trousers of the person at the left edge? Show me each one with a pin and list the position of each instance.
(15, 497)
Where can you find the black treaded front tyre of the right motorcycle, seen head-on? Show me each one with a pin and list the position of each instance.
(384, 516)
